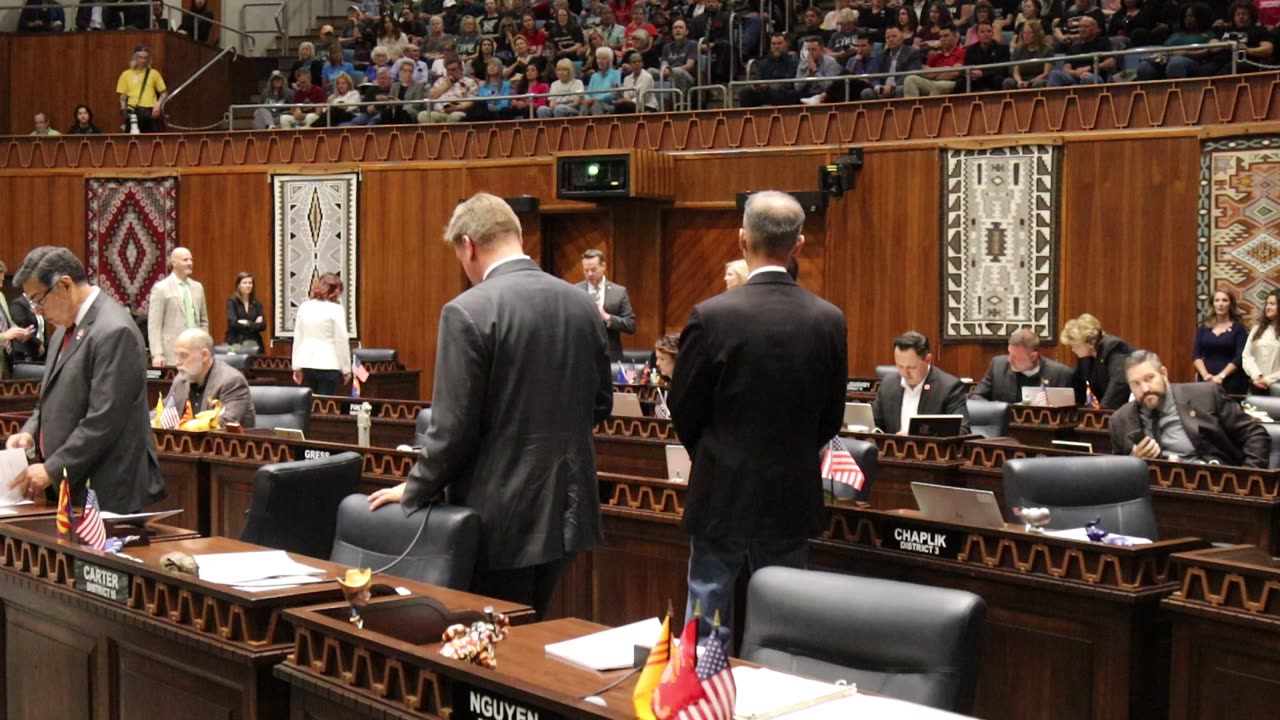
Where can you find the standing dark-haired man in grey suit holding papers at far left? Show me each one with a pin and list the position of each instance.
(92, 418)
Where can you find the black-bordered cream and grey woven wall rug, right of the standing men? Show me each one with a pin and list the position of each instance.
(999, 243)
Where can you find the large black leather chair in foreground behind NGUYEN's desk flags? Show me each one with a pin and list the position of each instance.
(917, 644)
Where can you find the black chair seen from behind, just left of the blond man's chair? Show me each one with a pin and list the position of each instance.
(295, 505)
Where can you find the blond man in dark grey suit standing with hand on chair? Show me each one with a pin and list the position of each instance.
(522, 379)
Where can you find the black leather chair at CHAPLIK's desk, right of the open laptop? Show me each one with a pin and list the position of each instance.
(1112, 489)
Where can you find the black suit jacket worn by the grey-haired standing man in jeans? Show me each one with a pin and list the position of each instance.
(758, 390)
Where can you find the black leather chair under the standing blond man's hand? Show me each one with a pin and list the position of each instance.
(444, 555)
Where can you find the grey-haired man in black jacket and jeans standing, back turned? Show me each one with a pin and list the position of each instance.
(757, 393)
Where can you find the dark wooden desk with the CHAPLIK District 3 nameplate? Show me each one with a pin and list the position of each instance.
(1073, 628)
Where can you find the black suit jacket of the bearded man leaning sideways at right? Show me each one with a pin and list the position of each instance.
(1217, 426)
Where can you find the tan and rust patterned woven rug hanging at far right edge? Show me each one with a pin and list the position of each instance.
(1238, 244)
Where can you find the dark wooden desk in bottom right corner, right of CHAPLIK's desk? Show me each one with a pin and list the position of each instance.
(1227, 635)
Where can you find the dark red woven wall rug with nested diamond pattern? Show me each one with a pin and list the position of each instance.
(131, 227)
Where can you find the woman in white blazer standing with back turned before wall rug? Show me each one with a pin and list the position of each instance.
(322, 349)
